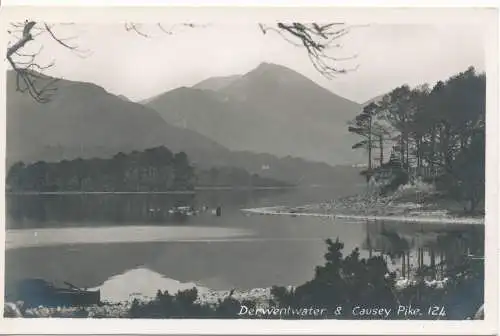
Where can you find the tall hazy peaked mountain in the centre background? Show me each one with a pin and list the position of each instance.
(271, 109)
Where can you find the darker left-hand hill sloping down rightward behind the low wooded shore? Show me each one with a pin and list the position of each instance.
(85, 121)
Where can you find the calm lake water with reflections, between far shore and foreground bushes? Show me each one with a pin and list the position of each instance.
(129, 243)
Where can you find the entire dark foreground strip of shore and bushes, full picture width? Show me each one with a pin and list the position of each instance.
(343, 288)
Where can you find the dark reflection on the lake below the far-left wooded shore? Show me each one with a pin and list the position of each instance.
(34, 211)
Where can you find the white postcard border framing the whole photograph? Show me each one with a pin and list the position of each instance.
(486, 18)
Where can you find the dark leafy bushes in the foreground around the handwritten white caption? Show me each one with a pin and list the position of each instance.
(343, 282)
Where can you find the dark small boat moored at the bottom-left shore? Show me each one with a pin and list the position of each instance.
(38, 292)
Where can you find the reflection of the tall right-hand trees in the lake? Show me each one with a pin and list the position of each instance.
(431, 249)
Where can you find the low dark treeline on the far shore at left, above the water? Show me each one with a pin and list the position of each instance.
(152, 170)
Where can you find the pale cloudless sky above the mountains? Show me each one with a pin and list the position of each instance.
(138, 67)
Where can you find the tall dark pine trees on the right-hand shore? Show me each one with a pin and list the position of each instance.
(439, 129)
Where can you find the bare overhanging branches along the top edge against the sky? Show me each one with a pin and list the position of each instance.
(315, 38)
